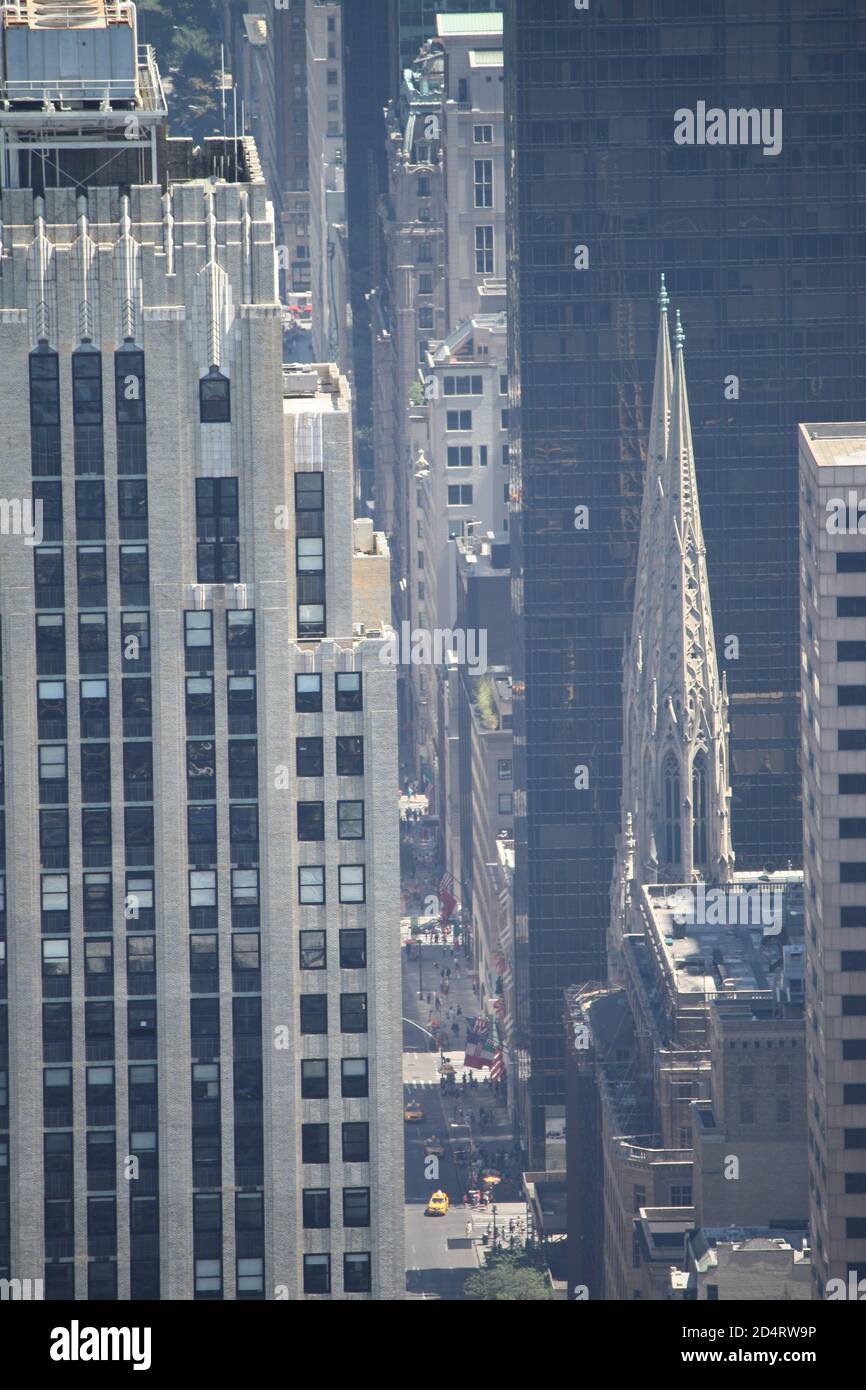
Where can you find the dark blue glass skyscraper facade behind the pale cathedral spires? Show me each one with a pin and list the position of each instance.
(765, 256)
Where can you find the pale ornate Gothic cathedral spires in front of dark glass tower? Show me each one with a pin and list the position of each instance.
(675, 750)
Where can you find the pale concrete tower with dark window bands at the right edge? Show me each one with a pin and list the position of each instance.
(833, 590)
